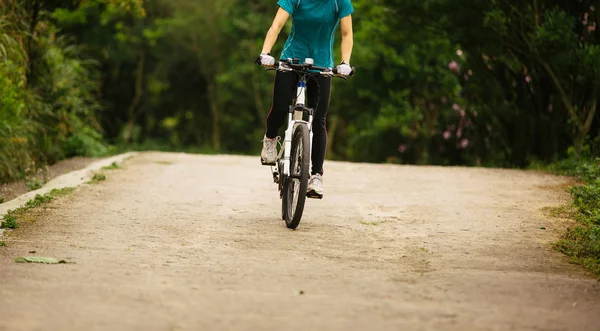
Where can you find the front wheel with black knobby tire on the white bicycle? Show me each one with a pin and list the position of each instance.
(297, 184)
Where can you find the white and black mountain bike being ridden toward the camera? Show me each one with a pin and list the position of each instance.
(292, 167)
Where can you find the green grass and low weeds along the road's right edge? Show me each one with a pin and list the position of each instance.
(582, 241)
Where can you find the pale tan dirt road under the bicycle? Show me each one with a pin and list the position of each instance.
(182, 242)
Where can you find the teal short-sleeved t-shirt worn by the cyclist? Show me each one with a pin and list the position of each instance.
(314, 23)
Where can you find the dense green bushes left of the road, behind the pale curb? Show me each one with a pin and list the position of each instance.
(48, 96)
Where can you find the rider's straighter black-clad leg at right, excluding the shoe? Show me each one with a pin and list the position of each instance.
(318, 95)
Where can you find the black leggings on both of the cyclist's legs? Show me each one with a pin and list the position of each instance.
(317, 96)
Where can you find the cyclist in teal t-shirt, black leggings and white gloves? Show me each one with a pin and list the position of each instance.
(314, 23)
